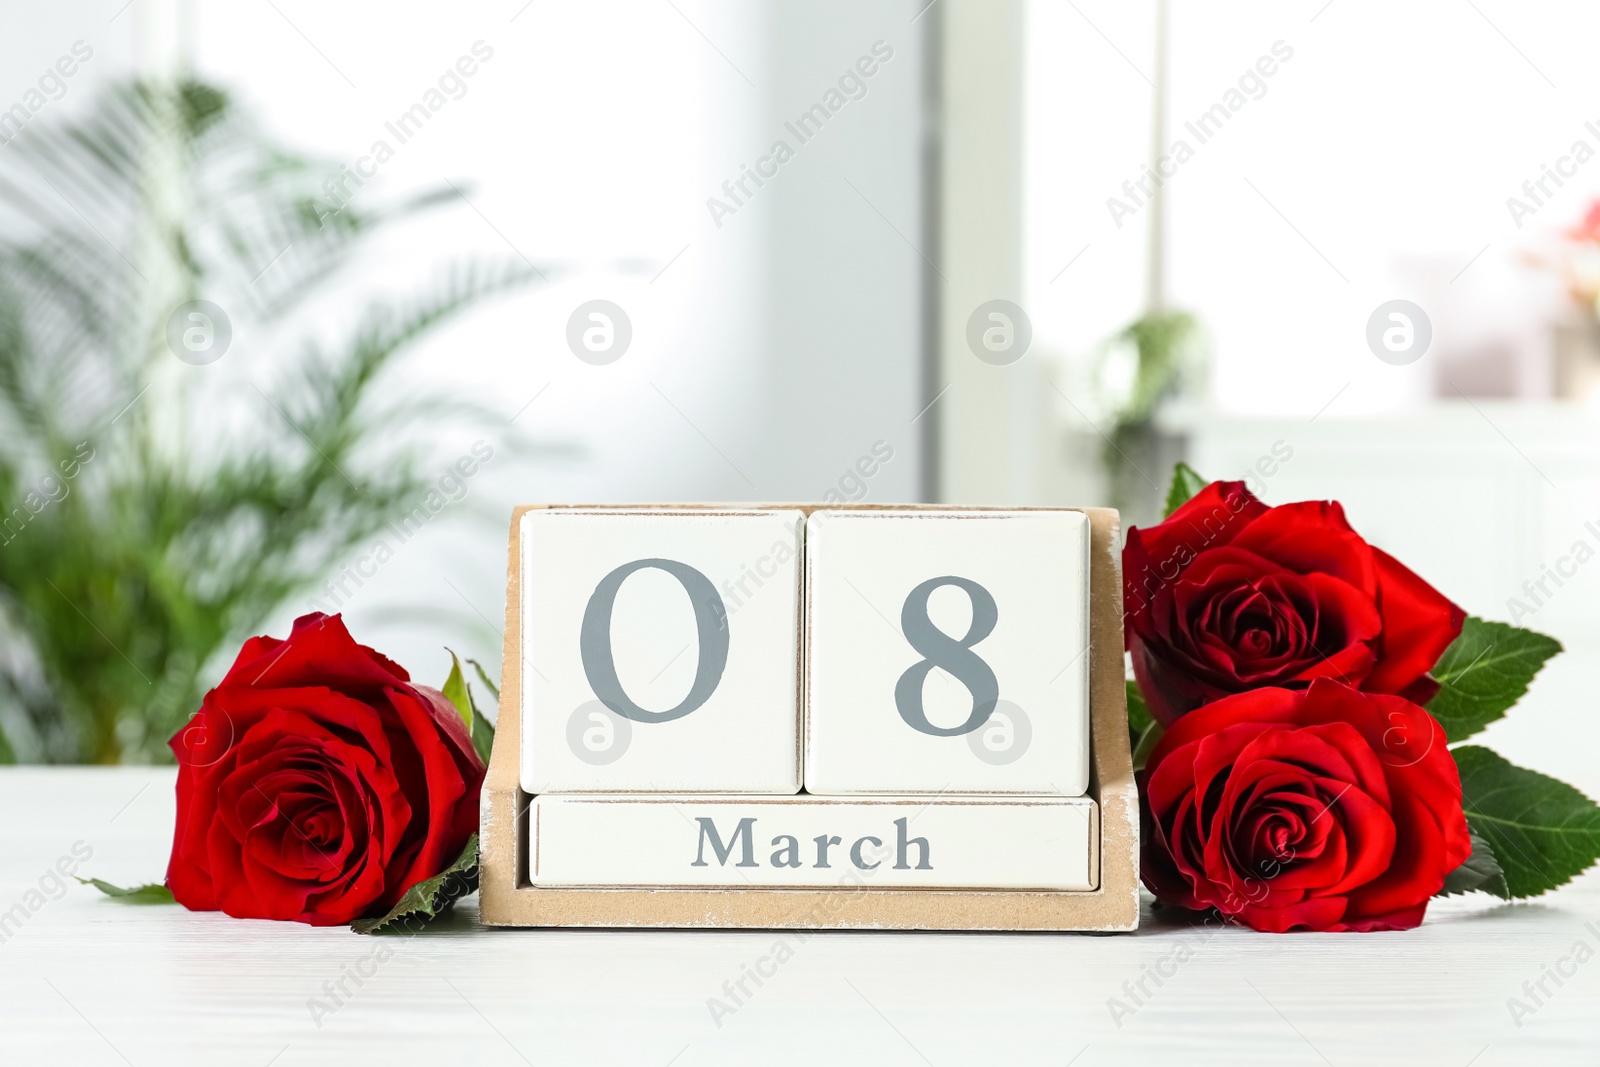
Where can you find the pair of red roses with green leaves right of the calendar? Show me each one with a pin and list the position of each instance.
(1298, 705)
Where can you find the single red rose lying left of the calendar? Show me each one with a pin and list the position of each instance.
(316, 783)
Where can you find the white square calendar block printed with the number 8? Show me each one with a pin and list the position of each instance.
(948, 653)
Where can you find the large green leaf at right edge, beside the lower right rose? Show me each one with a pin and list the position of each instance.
(1543, 833)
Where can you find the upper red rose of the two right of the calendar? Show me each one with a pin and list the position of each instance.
(1230, 596)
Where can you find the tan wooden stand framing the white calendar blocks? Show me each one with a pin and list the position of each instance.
(508, 898)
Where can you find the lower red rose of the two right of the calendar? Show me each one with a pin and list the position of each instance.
(1322, 809)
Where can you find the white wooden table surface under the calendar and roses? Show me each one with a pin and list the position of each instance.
(92, 981)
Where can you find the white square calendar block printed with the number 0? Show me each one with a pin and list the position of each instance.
(662, 650)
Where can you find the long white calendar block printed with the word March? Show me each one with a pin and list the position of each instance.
(806, 842)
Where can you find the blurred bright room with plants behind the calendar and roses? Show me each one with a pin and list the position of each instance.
(297, 302)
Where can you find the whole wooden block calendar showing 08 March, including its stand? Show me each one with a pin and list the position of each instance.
(812, 717)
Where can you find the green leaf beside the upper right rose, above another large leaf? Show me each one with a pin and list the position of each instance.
(1484, 673)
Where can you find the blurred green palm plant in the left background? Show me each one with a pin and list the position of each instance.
(151, 519)
